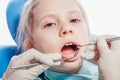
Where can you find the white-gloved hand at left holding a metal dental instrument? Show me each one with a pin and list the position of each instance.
(28, 57)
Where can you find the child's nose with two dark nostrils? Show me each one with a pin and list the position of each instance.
(66, 30)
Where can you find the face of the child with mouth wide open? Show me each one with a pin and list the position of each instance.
(56, 24)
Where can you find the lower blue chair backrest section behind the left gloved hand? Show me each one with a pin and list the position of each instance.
(6, 52)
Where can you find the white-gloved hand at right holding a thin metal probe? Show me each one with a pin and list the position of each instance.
(107, 56)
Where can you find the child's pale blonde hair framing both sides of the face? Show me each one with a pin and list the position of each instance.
(26, 20)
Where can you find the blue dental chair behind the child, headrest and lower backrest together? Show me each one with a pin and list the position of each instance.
(13, 13)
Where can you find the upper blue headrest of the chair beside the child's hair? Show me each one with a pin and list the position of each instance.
(13, 14)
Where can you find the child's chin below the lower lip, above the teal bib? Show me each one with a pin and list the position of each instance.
(68, 67)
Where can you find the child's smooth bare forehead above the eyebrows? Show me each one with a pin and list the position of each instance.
(54, 6)
